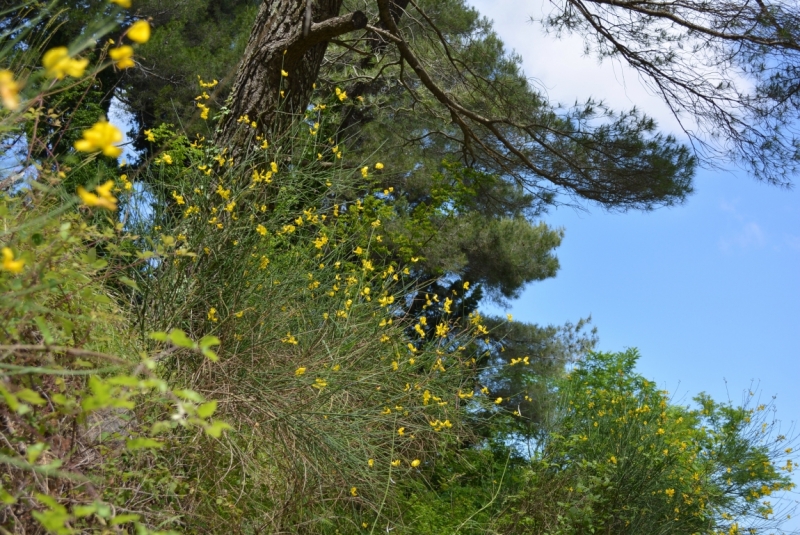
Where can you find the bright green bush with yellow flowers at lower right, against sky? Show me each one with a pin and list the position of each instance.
(623, 458)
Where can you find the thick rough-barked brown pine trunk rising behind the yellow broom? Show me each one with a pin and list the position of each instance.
(278, 44)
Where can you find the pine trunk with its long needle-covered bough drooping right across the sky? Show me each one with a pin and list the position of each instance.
(484, 111)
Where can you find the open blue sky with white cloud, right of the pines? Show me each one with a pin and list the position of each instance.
(709, 292)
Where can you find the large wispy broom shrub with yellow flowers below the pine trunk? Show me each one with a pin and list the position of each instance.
(332, 403)
